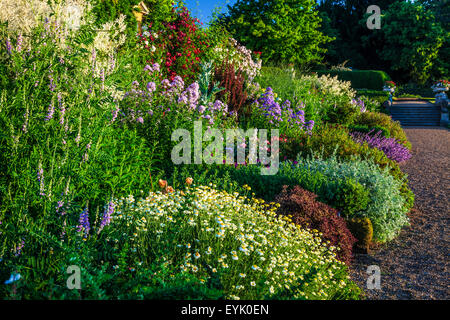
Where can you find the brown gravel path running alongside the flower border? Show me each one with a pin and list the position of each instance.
(416, 264)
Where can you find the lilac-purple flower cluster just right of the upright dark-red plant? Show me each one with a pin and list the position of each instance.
(276, 113)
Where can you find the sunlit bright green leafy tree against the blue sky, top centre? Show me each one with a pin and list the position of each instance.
(283, 30)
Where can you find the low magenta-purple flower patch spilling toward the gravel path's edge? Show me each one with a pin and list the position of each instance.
(390, 146)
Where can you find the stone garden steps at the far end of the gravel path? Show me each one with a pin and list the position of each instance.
(415, 113)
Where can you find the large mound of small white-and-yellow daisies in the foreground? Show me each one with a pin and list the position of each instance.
(255, 254)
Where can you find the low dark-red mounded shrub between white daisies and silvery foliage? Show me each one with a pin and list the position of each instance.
(306, 211)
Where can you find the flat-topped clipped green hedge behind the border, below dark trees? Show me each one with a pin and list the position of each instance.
(367, 79)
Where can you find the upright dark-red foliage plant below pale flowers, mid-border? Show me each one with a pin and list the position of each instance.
(234, 83)
